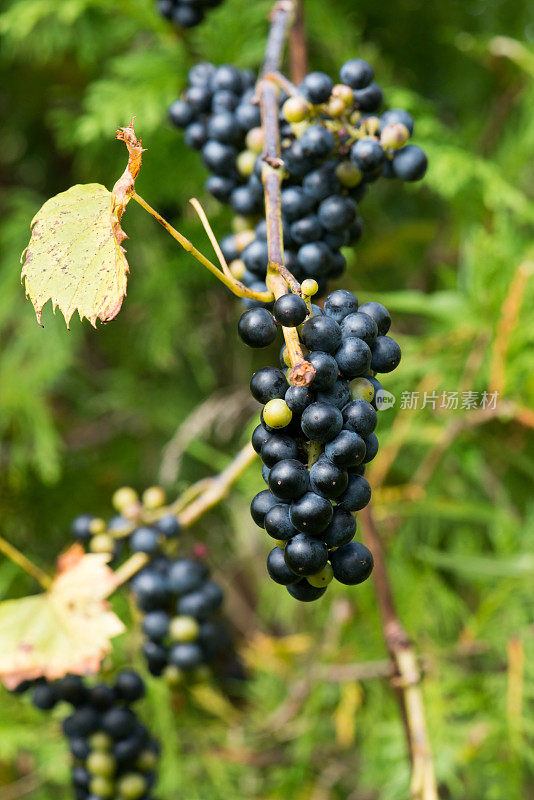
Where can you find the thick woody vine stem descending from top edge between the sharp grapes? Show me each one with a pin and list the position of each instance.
(278, 279)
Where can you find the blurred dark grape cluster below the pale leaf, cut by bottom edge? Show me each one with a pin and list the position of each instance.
(114, 755)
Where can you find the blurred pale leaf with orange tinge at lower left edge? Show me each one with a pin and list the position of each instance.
(66, 629)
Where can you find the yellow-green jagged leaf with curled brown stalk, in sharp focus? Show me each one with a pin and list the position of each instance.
(75, 256)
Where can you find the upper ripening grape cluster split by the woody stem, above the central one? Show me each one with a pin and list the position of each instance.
(334, 144)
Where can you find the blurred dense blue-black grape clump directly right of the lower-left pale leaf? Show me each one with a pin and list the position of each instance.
(183, 630)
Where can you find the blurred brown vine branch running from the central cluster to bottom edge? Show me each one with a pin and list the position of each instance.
(407, 675)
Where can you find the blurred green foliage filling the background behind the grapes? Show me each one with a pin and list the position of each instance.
(83, 412)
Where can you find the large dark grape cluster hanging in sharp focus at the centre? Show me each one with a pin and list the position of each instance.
(315, 440)
